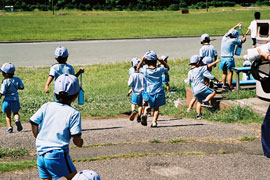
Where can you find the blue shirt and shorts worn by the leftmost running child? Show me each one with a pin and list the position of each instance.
(9, 89)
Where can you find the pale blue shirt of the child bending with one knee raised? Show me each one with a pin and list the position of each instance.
(196, 79)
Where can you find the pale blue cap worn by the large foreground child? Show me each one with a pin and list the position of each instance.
(67, 83)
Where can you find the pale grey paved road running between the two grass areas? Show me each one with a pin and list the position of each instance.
(102, 51)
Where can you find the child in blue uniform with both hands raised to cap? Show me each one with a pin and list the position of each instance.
(154, 88)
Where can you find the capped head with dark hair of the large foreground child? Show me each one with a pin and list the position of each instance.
(66, 88)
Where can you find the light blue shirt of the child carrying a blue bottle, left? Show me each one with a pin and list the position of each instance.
(57, 69)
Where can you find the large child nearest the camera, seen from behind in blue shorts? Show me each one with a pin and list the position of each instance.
(53, 125)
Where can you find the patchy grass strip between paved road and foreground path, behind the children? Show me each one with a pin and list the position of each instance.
(106, 88)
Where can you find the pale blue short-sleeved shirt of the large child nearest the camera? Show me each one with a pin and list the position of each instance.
(57, 124)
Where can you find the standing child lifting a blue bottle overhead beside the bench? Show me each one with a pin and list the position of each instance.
(228, 43)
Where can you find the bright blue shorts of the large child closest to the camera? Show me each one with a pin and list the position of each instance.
(55, 164)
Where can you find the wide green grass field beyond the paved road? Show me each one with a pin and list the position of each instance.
(81, 25)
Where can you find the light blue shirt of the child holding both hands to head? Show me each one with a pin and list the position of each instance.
(154, 79)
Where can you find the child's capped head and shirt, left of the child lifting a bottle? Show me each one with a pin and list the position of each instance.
(207, 50)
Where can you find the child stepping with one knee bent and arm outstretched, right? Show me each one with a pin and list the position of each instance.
(196, 78)
